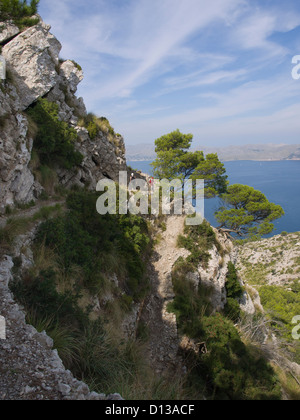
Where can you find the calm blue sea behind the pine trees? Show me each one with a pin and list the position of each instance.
(279, 181)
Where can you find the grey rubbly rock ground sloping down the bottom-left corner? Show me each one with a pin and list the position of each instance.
(30, 369)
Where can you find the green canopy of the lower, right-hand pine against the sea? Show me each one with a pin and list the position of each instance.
(246, 211)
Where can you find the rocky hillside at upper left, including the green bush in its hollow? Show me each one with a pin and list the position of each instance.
(35, 72)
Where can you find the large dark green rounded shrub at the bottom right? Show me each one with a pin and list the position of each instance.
(232, 370)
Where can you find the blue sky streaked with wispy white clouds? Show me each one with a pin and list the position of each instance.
(219, 69)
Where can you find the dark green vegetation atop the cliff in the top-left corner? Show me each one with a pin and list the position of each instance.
(19, 11)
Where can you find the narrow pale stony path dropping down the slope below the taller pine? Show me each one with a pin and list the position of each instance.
(163, 337)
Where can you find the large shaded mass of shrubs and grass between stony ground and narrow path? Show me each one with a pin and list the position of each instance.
(75, 256)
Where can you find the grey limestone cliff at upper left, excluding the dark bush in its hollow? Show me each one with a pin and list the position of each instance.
(35, 71)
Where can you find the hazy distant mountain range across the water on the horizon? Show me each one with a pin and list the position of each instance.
(258, 152)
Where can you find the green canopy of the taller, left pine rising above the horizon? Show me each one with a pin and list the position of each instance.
(175, 161)
